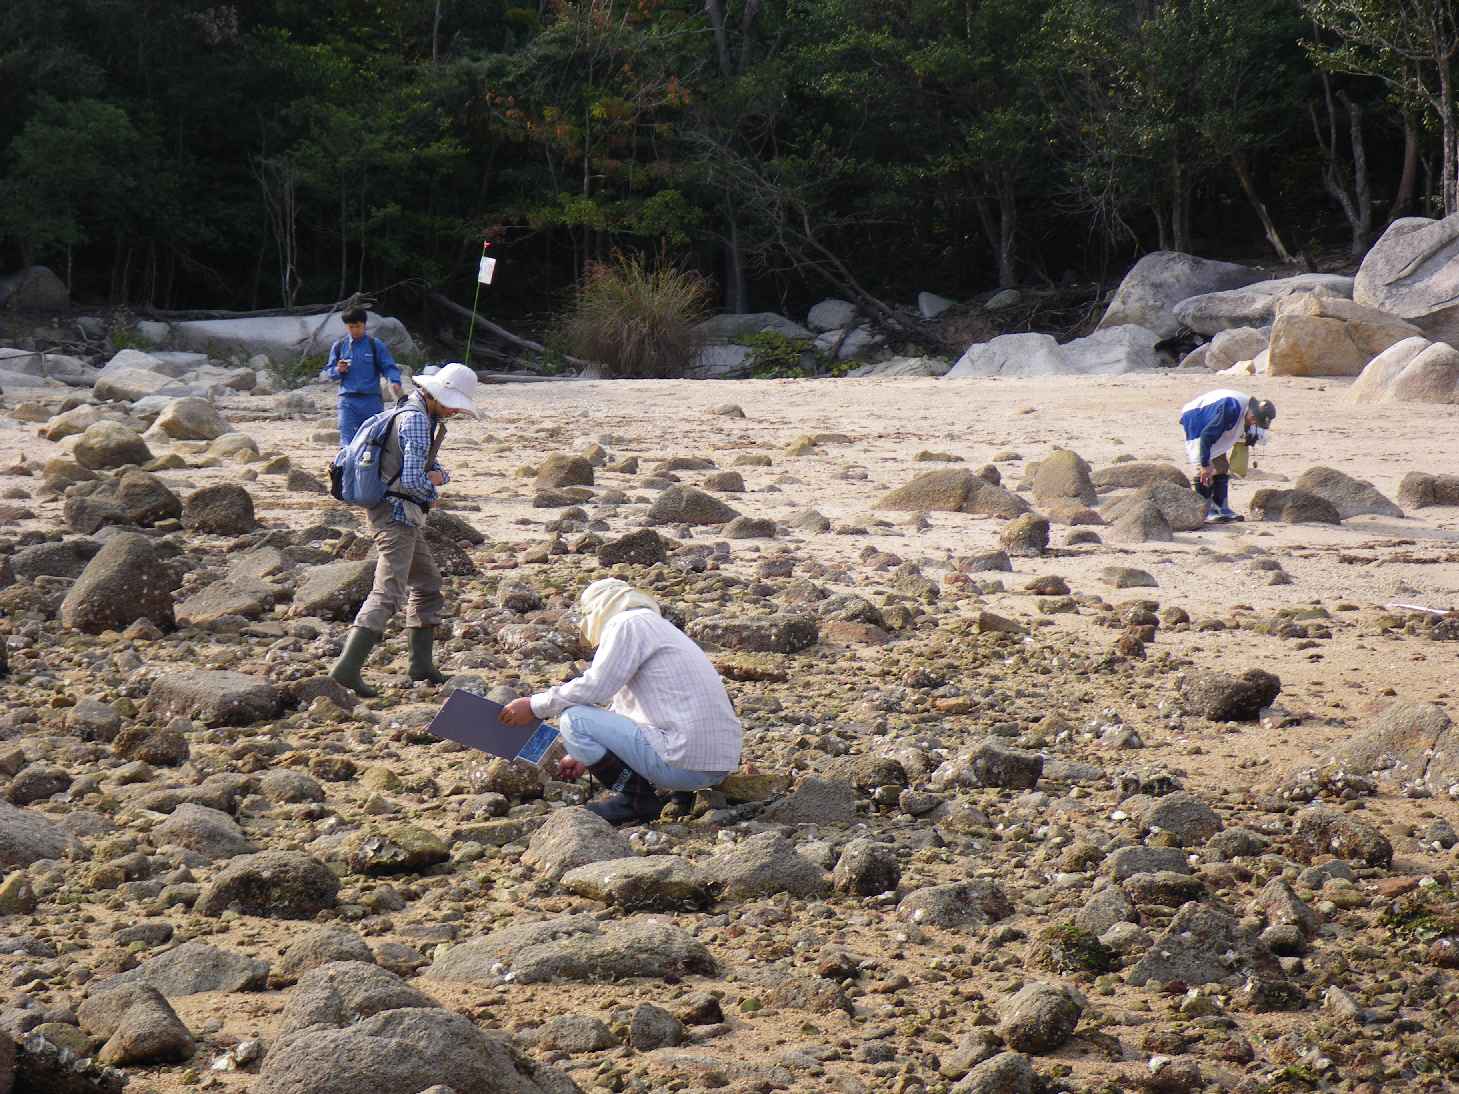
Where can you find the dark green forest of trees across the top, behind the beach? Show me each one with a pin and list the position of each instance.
(193, 154)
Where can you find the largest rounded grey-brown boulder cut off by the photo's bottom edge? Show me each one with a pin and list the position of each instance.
(405, 1050)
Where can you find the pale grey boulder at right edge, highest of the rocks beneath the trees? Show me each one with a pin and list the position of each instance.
(1413, 272)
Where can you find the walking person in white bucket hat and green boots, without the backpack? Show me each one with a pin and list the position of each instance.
(406, 571)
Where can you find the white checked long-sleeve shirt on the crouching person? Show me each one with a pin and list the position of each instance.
(650, 672)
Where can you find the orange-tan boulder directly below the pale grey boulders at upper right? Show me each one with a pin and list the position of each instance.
(1323, 336)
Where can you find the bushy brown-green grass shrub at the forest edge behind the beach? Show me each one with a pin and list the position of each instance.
(637, 320)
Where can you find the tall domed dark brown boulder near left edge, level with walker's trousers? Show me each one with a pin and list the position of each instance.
(123, 584)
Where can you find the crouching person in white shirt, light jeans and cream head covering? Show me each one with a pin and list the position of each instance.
(667, 723)
